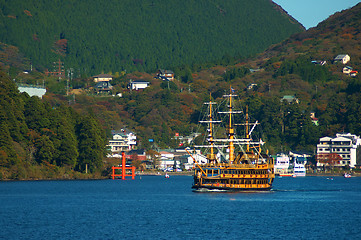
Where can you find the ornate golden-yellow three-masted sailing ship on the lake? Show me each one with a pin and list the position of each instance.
(244, 167)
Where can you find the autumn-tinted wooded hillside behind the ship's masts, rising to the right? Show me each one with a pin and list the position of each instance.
(286, 68)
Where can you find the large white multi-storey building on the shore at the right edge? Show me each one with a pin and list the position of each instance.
(339, 151)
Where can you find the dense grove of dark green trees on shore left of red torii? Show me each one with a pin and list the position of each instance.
(38, 141)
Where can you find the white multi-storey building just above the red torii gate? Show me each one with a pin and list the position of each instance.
(122, 141)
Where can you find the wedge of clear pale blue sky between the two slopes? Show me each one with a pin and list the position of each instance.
(311, 12)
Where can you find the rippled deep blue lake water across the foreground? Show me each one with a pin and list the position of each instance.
(152, 207)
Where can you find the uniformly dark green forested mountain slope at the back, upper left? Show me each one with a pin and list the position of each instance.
(144, 35)
